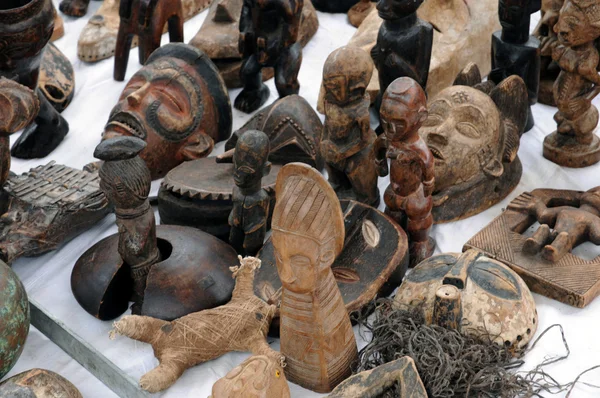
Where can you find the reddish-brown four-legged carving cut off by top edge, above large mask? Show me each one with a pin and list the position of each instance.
(145, 19)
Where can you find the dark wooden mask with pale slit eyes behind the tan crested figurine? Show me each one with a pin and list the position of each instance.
(372, 263)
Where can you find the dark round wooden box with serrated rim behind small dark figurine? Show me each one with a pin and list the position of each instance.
(199, 194)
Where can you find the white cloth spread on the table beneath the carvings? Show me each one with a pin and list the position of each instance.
(47, 278)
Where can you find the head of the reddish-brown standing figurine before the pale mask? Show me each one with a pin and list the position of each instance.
(403, 109)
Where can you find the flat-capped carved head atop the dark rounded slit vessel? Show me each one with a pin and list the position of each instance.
(124, 177)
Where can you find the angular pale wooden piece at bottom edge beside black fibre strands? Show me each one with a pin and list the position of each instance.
(371, 383)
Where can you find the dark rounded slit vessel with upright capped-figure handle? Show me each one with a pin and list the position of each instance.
(167, 271)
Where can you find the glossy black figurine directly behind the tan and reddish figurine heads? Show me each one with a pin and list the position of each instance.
(404, 44)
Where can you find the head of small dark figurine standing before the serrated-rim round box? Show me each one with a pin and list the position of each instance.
(250, 159)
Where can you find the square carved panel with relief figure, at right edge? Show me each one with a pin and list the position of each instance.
(544, 258)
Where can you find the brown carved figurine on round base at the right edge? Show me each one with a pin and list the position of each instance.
(574, 144)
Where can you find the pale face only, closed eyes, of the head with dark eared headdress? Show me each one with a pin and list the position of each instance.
(463, 133)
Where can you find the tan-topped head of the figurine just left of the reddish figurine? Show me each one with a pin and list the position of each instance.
(346, 75)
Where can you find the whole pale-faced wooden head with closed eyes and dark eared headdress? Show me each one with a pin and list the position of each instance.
(473, 132)
